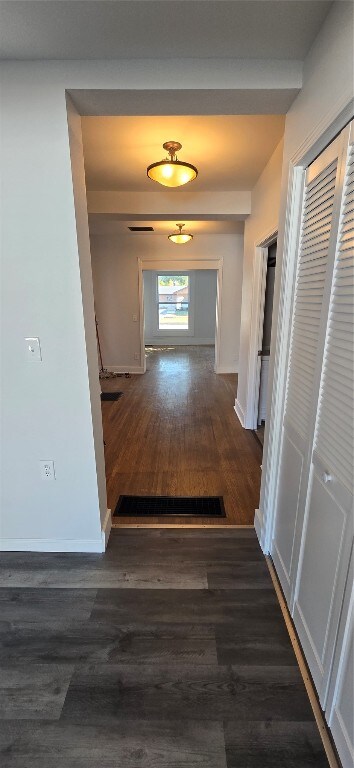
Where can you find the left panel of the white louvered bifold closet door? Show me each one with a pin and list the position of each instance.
(319, 219)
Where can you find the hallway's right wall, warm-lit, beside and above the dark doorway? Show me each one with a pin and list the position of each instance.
(265, 202)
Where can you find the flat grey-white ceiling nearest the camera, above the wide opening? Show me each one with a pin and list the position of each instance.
(102, 29)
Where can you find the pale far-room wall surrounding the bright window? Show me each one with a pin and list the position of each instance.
(203, 310)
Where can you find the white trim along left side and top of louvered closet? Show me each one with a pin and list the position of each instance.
(314, 144)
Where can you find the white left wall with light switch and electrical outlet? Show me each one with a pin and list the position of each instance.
(47, 406)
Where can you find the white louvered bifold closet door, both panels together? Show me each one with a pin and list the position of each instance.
(313, 532)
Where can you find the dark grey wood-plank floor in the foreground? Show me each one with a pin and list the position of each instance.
(168, 651)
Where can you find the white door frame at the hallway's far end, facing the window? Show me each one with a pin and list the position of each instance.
(181, 265)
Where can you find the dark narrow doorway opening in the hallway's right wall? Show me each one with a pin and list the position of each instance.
(264, 349)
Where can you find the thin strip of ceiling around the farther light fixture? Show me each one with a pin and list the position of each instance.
(99, 224)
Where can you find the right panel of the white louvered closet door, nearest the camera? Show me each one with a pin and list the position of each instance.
(328, 530)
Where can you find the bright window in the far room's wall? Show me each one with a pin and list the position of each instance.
(173, 303)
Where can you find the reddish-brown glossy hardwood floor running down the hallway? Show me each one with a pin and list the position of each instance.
(175, 432)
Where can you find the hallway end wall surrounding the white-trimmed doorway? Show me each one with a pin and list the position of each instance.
(115, 279)
